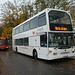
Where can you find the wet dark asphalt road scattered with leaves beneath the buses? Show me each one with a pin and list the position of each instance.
(12, 63)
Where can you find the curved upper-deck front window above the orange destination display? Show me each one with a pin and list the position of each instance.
(59, 17)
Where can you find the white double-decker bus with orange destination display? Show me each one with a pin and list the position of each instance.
(47, 35)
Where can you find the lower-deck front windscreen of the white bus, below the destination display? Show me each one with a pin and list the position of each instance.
(60, 40)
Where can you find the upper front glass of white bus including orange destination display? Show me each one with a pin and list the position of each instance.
(59, 21)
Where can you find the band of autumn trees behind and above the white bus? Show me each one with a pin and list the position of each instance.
(15, 13)
